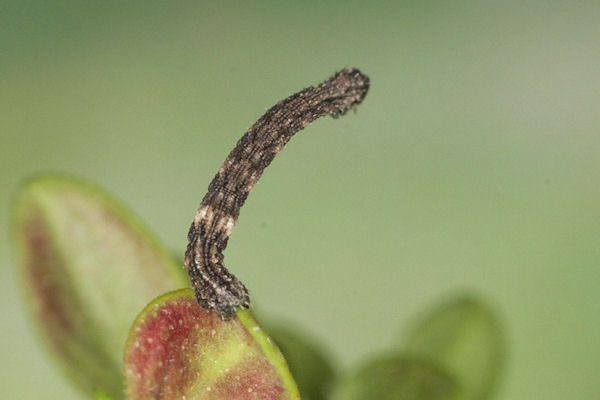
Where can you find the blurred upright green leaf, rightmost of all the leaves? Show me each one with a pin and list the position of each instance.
(464, 336)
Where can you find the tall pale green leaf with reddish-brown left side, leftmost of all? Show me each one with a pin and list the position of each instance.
(88, 267)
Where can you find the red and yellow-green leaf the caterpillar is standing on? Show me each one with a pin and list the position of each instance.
(179, 350)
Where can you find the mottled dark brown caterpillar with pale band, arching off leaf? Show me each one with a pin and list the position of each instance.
(216, 288)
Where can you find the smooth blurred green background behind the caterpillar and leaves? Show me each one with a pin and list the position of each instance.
(473, 163)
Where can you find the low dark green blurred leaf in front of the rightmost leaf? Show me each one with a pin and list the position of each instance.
(398, 378)
